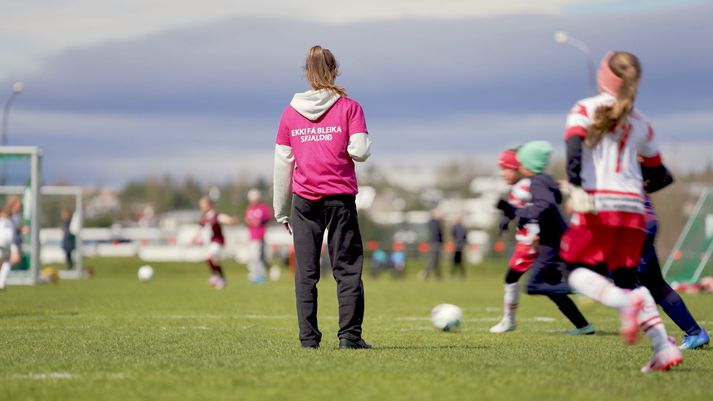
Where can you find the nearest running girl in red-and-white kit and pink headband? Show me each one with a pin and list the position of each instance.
(605, 137)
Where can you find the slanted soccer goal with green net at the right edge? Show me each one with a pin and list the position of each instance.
(691, 256)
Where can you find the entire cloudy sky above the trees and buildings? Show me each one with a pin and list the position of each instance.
(118, 92)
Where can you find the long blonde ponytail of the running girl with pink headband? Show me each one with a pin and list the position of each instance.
(627, 67)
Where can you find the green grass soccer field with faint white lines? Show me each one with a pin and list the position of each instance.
(115, 338)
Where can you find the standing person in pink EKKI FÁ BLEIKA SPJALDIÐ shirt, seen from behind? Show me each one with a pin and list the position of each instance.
(320, 136)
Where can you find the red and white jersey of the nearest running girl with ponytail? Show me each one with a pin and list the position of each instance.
(611, 171)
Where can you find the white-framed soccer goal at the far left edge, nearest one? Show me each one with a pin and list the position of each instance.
(20, 180)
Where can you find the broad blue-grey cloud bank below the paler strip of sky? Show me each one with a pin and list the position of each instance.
(206, 100)
